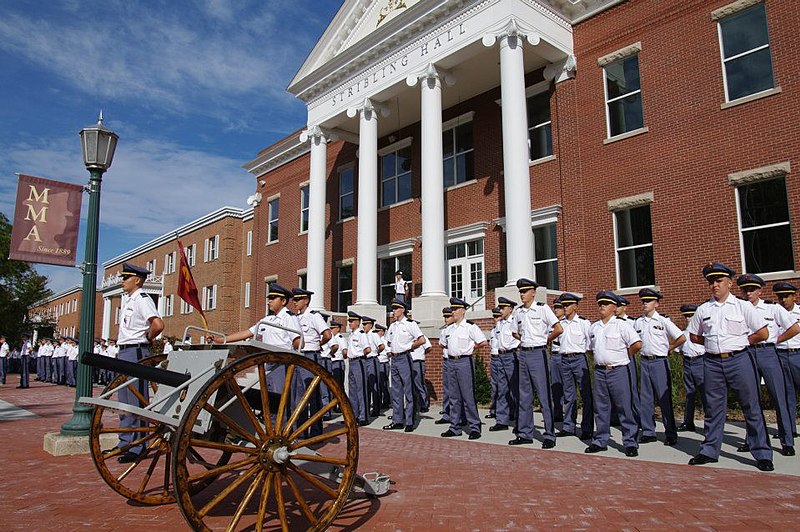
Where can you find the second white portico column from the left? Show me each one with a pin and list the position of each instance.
(367, 254)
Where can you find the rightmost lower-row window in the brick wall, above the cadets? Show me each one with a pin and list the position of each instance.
(766, 233)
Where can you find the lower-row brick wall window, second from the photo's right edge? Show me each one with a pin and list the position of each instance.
(634, 244)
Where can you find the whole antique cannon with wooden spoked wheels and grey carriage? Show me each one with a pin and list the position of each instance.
(223, 437)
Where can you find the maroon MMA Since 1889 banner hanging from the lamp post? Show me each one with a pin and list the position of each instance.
(46, 220)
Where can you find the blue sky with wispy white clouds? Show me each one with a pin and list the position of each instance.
(193, 89)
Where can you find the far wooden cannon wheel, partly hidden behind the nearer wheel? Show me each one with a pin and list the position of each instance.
(147, 480)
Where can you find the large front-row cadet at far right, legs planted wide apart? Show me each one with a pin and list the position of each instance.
(723, 325)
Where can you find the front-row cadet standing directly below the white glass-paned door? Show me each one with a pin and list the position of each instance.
(461, 338)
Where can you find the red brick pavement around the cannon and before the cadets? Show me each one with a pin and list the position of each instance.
(441, 484)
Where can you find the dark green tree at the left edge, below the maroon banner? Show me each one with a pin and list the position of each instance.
(20, 288)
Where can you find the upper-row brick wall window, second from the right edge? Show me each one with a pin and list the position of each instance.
(623, 96)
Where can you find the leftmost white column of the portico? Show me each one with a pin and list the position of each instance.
(315, 273)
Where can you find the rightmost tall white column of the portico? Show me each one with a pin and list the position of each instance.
(519, 236)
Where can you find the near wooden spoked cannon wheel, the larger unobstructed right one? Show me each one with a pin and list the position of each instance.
(278, 475)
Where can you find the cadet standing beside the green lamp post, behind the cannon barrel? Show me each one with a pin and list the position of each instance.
(140, 324)
